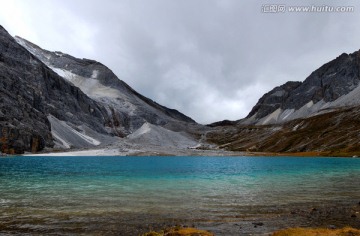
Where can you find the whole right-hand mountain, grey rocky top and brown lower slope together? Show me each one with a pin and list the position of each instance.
(318, 115)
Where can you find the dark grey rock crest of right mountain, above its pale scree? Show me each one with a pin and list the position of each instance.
(328, 83)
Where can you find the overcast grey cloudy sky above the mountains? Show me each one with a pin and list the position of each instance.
(210, 59)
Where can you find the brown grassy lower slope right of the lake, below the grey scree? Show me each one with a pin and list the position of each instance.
(333, 133)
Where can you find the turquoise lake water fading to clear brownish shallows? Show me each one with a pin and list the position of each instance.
(120, 195)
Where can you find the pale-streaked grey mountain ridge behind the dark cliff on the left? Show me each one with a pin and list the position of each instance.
(126, 109)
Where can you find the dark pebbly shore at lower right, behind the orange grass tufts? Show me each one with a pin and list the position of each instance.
(328, 215)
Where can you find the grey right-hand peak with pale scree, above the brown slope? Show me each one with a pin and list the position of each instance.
(334, 85)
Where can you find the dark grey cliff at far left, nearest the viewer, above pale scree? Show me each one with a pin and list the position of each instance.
(29, 92)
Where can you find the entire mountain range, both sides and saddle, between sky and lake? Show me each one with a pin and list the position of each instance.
(56, 101)
